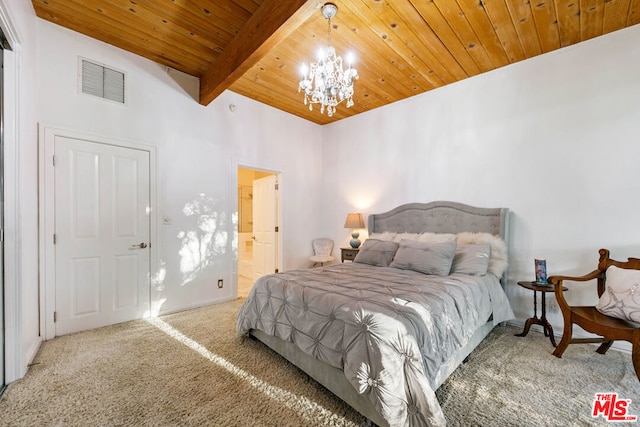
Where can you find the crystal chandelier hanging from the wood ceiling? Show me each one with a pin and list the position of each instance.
(325, 82)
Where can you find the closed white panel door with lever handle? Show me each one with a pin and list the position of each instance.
(102, 234)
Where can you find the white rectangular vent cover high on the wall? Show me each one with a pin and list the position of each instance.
(101, 81)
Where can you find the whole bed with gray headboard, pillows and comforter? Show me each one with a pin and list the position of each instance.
(383, 333)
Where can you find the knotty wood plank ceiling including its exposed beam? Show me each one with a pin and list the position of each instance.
(402, 47)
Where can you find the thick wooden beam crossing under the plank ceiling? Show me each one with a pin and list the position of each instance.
(273, 22)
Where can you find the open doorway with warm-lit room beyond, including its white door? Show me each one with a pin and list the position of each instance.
(257, 226)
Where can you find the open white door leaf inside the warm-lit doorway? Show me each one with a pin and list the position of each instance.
(265, 209)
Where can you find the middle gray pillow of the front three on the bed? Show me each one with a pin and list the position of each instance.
(427, 258)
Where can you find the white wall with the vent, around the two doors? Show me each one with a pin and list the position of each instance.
(199, 151)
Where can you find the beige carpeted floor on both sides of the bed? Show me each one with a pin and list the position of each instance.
(190, 369)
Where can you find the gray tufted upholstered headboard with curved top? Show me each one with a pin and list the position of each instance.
(441, 217)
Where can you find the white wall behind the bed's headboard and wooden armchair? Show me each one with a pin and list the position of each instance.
(553, 138)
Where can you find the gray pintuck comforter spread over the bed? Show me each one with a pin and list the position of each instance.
(389, 330)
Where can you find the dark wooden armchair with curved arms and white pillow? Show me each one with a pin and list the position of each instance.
(614, 317)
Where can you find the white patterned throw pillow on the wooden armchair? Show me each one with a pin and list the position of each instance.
(621, 297)
